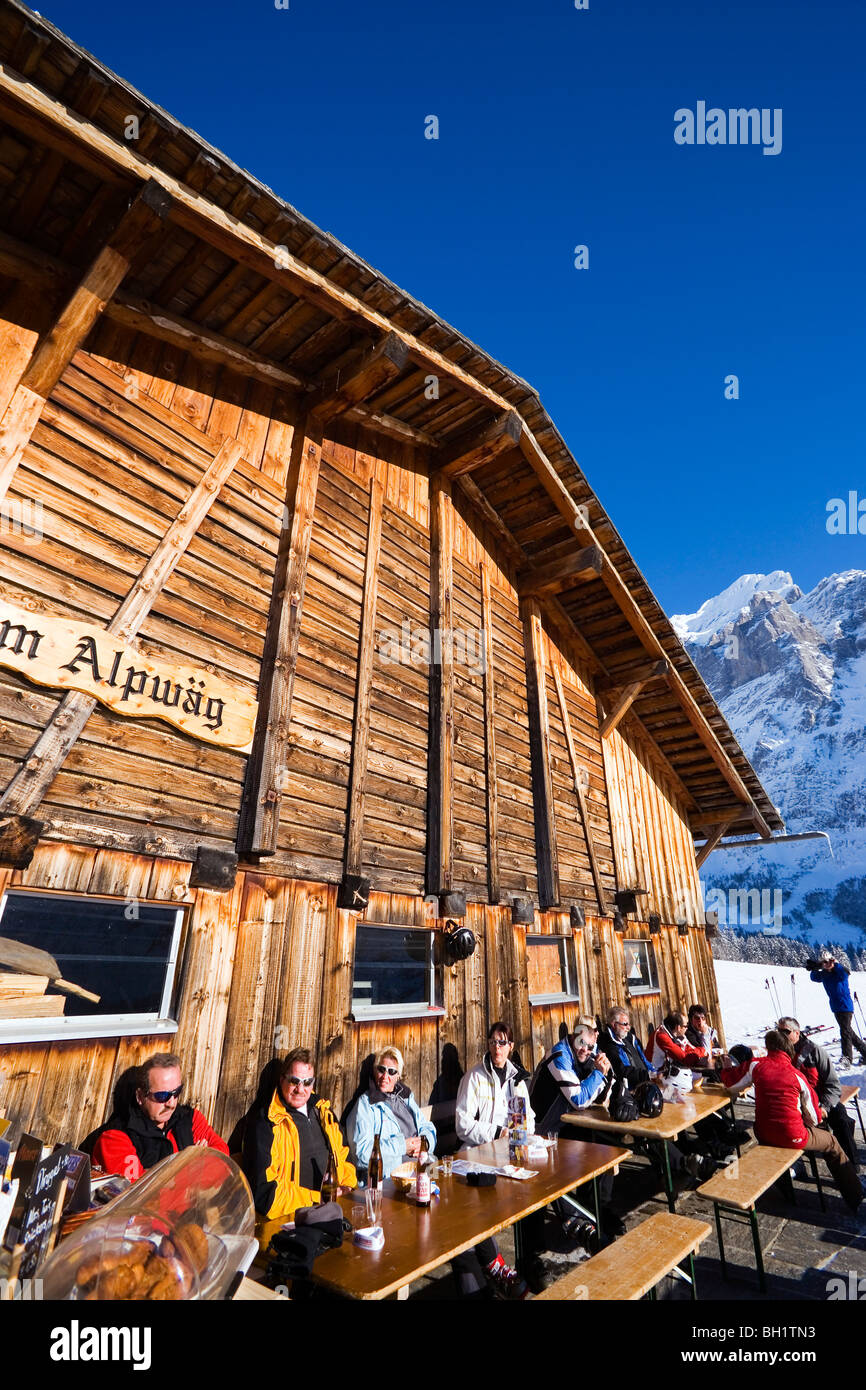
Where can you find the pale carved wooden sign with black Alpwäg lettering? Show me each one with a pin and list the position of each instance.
(129, 679)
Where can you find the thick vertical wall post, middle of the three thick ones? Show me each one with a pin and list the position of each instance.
(441, 760)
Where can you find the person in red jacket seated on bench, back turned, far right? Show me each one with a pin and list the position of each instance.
(787, 1114)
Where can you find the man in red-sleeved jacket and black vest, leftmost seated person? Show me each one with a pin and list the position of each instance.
(156, 1125)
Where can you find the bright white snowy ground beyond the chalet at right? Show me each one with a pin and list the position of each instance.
(750, 1008)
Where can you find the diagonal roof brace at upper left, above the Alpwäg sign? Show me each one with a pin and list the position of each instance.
(58, 348)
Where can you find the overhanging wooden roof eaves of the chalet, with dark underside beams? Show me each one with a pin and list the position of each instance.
(236, 276)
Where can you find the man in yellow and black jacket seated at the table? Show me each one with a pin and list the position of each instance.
(288, 1145)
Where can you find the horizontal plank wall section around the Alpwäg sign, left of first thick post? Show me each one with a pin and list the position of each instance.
(113, 458)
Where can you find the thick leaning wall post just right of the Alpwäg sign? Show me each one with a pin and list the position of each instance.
(266, 771)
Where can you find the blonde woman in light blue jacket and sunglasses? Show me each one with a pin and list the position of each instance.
(390, 1110)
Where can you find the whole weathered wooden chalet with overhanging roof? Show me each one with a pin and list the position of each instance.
(243, 790)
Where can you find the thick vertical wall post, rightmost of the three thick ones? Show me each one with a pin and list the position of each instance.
(540, 749)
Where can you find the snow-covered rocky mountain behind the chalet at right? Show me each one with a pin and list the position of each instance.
(789, 671)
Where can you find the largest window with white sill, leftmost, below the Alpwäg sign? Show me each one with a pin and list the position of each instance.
(122, 950)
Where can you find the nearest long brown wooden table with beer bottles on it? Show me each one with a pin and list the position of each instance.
(420, 1239)
